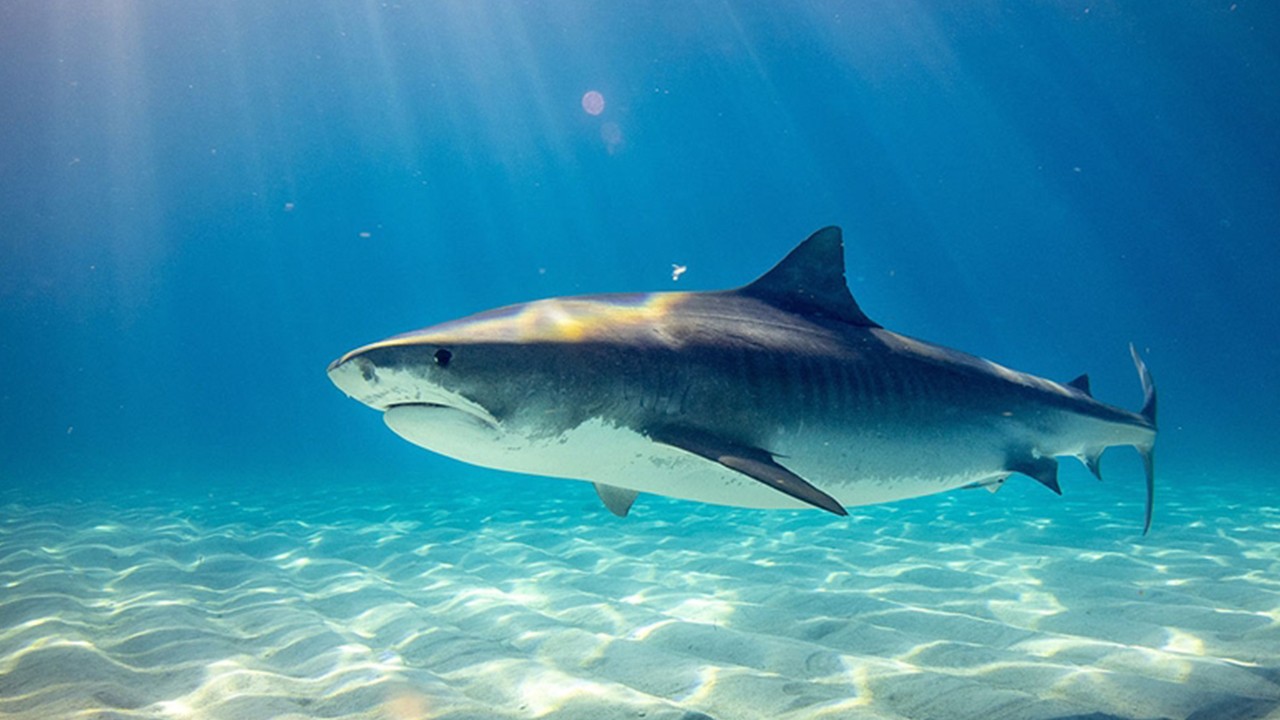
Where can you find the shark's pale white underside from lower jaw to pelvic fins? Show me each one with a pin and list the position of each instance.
(853, 471)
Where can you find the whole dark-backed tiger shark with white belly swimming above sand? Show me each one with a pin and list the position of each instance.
(779, 394)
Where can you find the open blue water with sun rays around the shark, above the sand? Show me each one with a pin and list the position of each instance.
(202, 206)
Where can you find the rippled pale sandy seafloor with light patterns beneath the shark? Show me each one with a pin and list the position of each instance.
(529, 600)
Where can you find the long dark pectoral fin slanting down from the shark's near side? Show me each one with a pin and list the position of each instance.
(752, 462)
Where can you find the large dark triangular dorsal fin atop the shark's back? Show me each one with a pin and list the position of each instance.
(811, 281)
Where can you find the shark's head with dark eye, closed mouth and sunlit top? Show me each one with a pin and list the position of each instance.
(487, 388)
